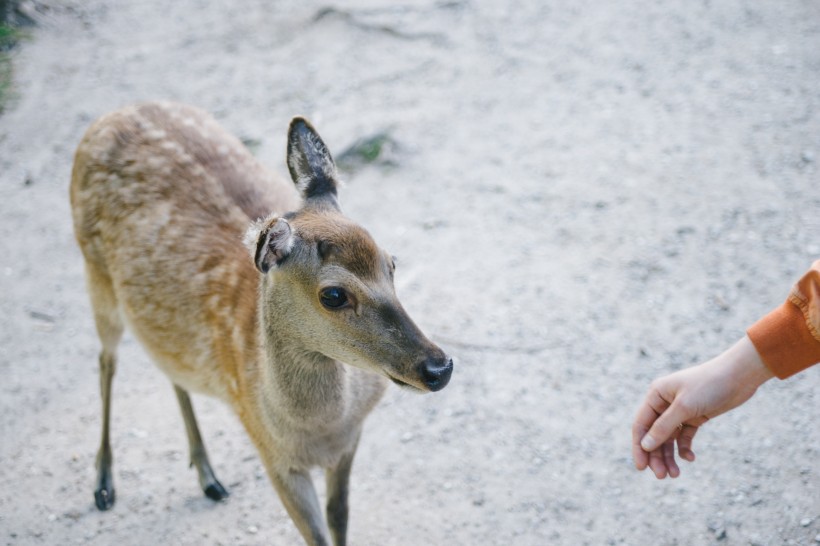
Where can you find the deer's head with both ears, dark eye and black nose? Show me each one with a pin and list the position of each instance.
(333, 284)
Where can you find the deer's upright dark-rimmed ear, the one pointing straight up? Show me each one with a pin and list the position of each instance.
(310, 163)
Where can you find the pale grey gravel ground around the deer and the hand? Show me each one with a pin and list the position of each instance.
(581, 196)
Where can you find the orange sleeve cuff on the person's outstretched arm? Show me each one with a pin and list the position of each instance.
(788, 338)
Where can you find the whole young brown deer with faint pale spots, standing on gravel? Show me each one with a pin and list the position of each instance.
(299, 337)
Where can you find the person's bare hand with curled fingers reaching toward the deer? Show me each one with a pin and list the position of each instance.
(678, 404)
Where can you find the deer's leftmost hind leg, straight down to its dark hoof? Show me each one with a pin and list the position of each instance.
(109, 328)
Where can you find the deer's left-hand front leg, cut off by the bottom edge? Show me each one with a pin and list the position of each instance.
(296, 490)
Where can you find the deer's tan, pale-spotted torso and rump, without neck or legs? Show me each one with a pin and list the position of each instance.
(161, 196)
